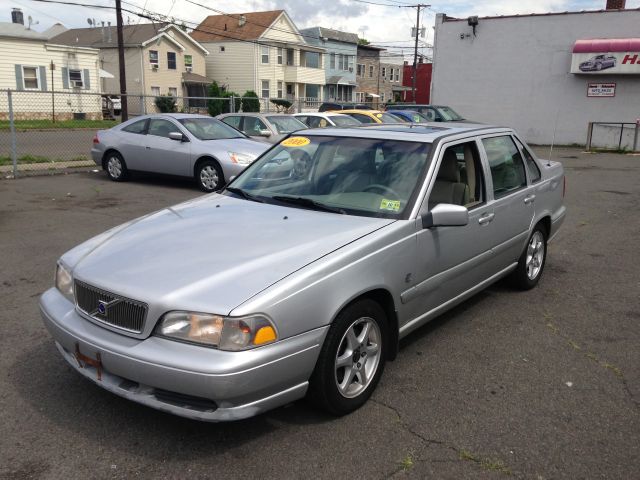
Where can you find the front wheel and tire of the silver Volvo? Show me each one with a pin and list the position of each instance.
(352, 359)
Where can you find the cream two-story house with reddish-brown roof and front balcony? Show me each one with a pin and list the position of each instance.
(263, 52)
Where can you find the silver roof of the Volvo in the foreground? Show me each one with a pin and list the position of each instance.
(423, 132)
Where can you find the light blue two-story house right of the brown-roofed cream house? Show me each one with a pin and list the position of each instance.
(340, 61)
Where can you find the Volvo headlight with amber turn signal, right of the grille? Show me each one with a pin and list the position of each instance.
(221, 332)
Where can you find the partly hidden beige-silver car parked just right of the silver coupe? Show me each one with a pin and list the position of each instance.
(264, 127)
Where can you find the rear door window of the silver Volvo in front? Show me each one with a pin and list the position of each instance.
(507, 167)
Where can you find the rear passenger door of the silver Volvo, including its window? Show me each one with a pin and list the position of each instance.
(513, 200)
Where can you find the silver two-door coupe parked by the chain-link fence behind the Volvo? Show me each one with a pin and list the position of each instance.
(175, 144)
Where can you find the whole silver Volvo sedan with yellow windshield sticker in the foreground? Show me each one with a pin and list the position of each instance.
(301, 277)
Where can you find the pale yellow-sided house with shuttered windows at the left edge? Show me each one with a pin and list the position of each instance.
(34, 67)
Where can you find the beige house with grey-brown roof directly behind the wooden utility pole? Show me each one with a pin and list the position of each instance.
(159, 60)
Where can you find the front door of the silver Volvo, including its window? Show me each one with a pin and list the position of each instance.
(452, 260)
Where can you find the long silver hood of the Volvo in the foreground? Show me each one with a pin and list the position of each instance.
(213, 253)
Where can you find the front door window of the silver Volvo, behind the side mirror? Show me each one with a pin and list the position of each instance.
(459, 180)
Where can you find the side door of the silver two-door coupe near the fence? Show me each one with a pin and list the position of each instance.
(164, 155)
